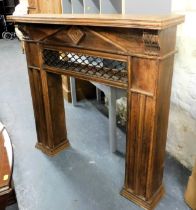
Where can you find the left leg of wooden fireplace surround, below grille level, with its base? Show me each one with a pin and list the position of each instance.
(49, 111)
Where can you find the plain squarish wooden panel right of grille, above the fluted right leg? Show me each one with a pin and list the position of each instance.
(144, 74)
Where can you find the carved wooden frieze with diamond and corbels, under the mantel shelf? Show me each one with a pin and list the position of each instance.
(98, 39)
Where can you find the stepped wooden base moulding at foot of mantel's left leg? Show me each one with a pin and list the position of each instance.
(53, 151)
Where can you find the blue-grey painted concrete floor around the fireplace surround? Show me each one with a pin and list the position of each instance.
(86, 176)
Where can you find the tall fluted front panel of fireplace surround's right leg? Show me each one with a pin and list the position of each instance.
(139, 140)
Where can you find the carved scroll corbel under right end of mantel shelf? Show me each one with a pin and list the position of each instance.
(151, 43)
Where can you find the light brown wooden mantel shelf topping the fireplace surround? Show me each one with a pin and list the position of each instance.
(112, 20)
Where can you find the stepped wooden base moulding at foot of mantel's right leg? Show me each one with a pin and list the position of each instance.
(150, 204)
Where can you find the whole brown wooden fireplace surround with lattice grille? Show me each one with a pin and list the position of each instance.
(129, 52)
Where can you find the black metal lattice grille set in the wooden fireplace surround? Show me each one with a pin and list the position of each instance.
(88, 65)
